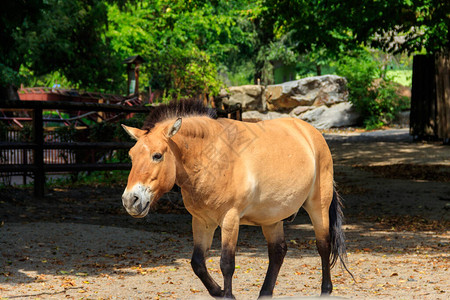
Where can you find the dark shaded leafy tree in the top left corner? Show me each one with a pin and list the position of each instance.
(56, 35)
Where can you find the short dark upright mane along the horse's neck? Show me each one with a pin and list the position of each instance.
(177, 109)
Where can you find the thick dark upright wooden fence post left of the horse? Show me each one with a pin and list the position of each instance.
(38, 153)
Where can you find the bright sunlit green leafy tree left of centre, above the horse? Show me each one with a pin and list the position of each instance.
(182, 41)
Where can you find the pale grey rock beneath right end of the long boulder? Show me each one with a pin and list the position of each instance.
(339, 115)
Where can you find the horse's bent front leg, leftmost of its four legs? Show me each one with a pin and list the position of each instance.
(203, 235)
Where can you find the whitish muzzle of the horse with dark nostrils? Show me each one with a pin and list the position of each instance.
(137, 201)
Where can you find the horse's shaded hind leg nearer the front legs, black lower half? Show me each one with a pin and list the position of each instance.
(274, 235)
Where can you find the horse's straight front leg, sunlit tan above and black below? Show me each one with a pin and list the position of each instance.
(230, 232)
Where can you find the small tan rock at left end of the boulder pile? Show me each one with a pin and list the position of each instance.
(251, 97)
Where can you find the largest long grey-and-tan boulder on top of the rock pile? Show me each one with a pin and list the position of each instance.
(312, 91)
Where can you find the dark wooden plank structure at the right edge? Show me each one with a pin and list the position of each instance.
(430, 98)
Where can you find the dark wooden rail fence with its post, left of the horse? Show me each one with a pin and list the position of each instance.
(39, 168)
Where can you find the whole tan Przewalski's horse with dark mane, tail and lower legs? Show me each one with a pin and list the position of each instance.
(233, 173)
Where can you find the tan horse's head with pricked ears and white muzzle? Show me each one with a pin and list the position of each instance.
(153, 170)
